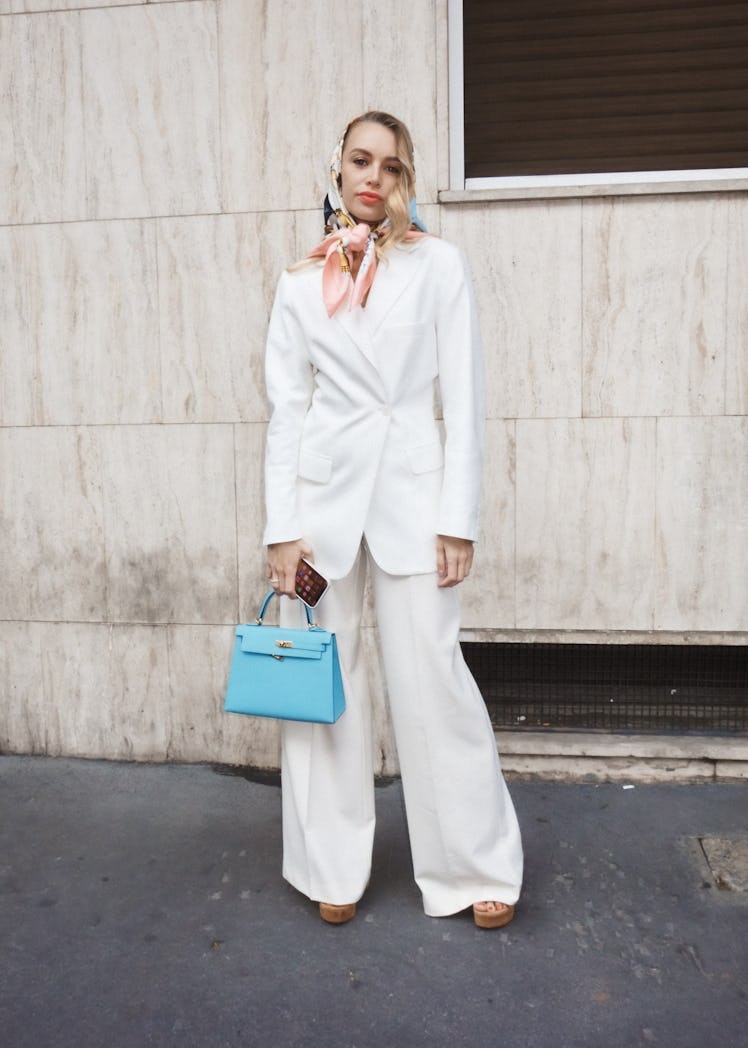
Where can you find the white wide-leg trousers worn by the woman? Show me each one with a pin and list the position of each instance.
(464, 831)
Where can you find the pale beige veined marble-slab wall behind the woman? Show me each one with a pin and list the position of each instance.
(161, 164)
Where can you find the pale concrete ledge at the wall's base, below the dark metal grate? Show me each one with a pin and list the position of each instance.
(592, 757)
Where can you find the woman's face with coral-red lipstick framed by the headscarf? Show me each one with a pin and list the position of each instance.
(370, 171)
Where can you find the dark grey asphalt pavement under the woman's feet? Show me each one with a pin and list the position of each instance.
(143, 905)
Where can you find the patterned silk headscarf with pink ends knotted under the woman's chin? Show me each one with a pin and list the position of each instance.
(346, 238)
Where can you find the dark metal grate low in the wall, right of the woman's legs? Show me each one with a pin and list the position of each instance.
(640, 688)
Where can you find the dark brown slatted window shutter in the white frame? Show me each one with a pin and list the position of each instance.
(564, 88)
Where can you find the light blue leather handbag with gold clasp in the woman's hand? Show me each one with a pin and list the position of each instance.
(291, 674)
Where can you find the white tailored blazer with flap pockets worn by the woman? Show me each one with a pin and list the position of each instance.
(354, 447)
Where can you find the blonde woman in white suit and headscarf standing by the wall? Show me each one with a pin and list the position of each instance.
(359, 479)
